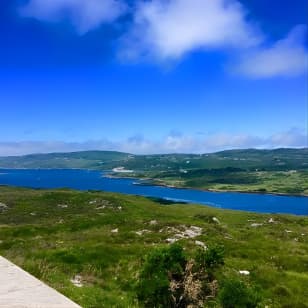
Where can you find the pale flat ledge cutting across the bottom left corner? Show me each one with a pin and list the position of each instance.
(19, 289)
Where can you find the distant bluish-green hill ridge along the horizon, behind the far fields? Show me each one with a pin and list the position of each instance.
(248, 159)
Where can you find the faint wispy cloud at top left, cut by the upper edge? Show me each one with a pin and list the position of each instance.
(85, 15)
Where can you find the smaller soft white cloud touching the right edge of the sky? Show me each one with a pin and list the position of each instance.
(286, 57)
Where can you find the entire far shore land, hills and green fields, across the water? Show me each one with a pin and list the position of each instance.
(263, 171)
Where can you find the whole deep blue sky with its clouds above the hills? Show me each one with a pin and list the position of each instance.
(152, 76)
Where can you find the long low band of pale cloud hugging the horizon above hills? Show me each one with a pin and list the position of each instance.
(172, 143)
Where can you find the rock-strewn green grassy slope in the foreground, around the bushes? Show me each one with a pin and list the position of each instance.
(101, 239)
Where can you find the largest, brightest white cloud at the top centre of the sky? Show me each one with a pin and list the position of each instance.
(169, 29)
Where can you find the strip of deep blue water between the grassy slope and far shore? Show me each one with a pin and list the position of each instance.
(96, 180)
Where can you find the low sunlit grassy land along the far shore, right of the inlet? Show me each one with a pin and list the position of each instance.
(278, 182)
